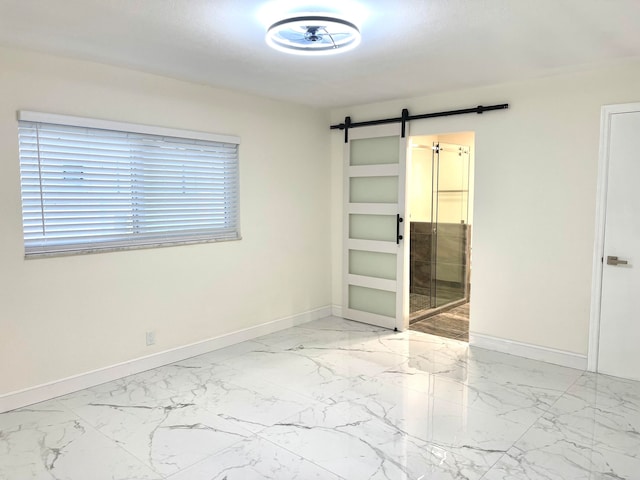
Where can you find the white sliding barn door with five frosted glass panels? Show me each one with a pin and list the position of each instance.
(374, 262)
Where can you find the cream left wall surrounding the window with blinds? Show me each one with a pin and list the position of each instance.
(67, 315)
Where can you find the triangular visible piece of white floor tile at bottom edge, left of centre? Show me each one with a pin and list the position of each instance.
(254, 459)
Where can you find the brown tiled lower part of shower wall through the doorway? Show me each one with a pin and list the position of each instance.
(453, 256)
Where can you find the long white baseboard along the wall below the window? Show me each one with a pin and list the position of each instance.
(47, 391)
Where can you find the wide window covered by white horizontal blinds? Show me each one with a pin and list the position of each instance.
(92, 185)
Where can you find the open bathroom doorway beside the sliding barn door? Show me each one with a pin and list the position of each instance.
(441, 217)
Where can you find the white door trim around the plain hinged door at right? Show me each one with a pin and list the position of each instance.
(606, 115)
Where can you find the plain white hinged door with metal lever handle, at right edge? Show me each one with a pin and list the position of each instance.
(619, 342)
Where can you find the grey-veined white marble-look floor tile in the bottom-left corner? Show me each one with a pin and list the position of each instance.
(53, 443)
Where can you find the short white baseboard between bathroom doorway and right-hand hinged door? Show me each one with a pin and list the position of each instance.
(535, 352)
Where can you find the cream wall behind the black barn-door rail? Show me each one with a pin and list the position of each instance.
(534, 208)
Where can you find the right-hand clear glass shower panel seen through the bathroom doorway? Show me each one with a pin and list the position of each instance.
(450, 214)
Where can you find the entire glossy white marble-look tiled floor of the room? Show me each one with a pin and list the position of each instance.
(338, 400)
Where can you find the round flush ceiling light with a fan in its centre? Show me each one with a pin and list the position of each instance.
(313, 35)
